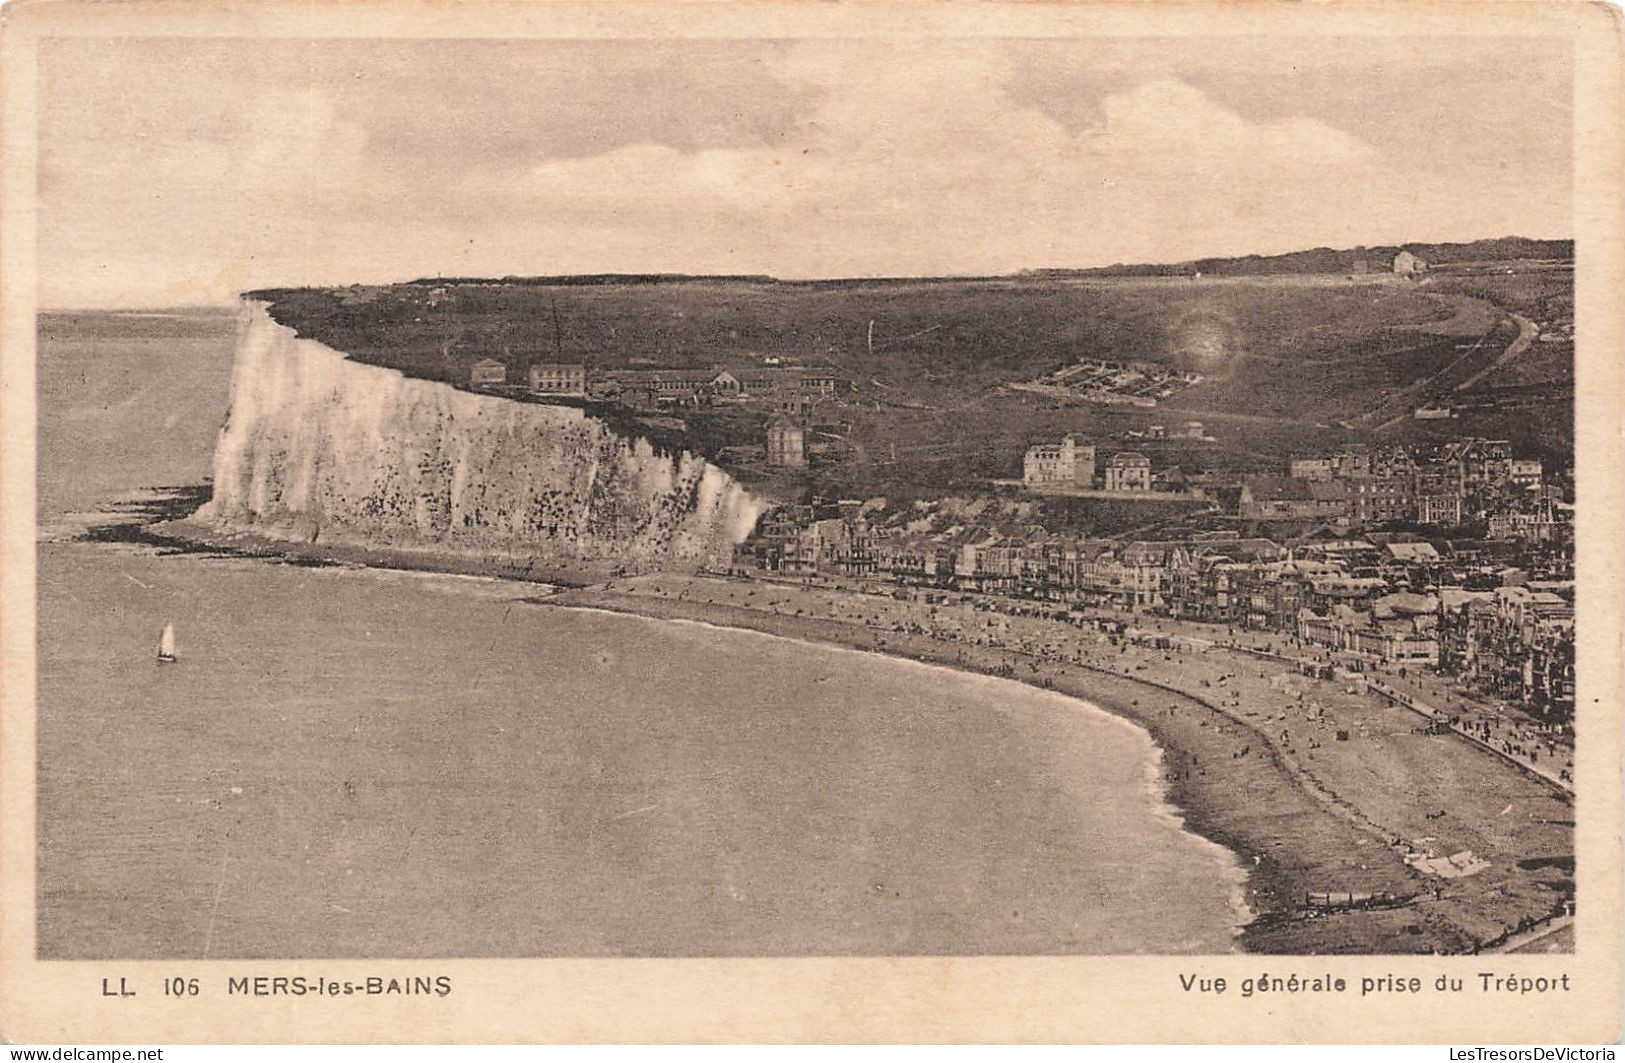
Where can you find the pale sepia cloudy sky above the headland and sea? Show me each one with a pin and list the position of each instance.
(178, 171)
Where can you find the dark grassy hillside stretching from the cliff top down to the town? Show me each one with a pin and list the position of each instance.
(1288, 363)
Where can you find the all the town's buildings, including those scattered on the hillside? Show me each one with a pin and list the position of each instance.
(1454, 557)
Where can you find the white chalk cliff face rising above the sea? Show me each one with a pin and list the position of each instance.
(319, 446)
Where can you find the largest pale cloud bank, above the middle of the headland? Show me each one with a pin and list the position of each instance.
(919, 160)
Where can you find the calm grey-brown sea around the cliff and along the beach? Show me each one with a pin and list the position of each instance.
(365, 765)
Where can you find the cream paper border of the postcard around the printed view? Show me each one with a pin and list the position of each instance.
(844, 1000)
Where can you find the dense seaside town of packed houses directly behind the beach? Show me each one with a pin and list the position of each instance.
(1460, 560)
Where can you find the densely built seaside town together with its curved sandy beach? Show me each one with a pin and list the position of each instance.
(1324, 661)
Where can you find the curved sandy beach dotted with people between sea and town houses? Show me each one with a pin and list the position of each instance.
(1252, 760)
